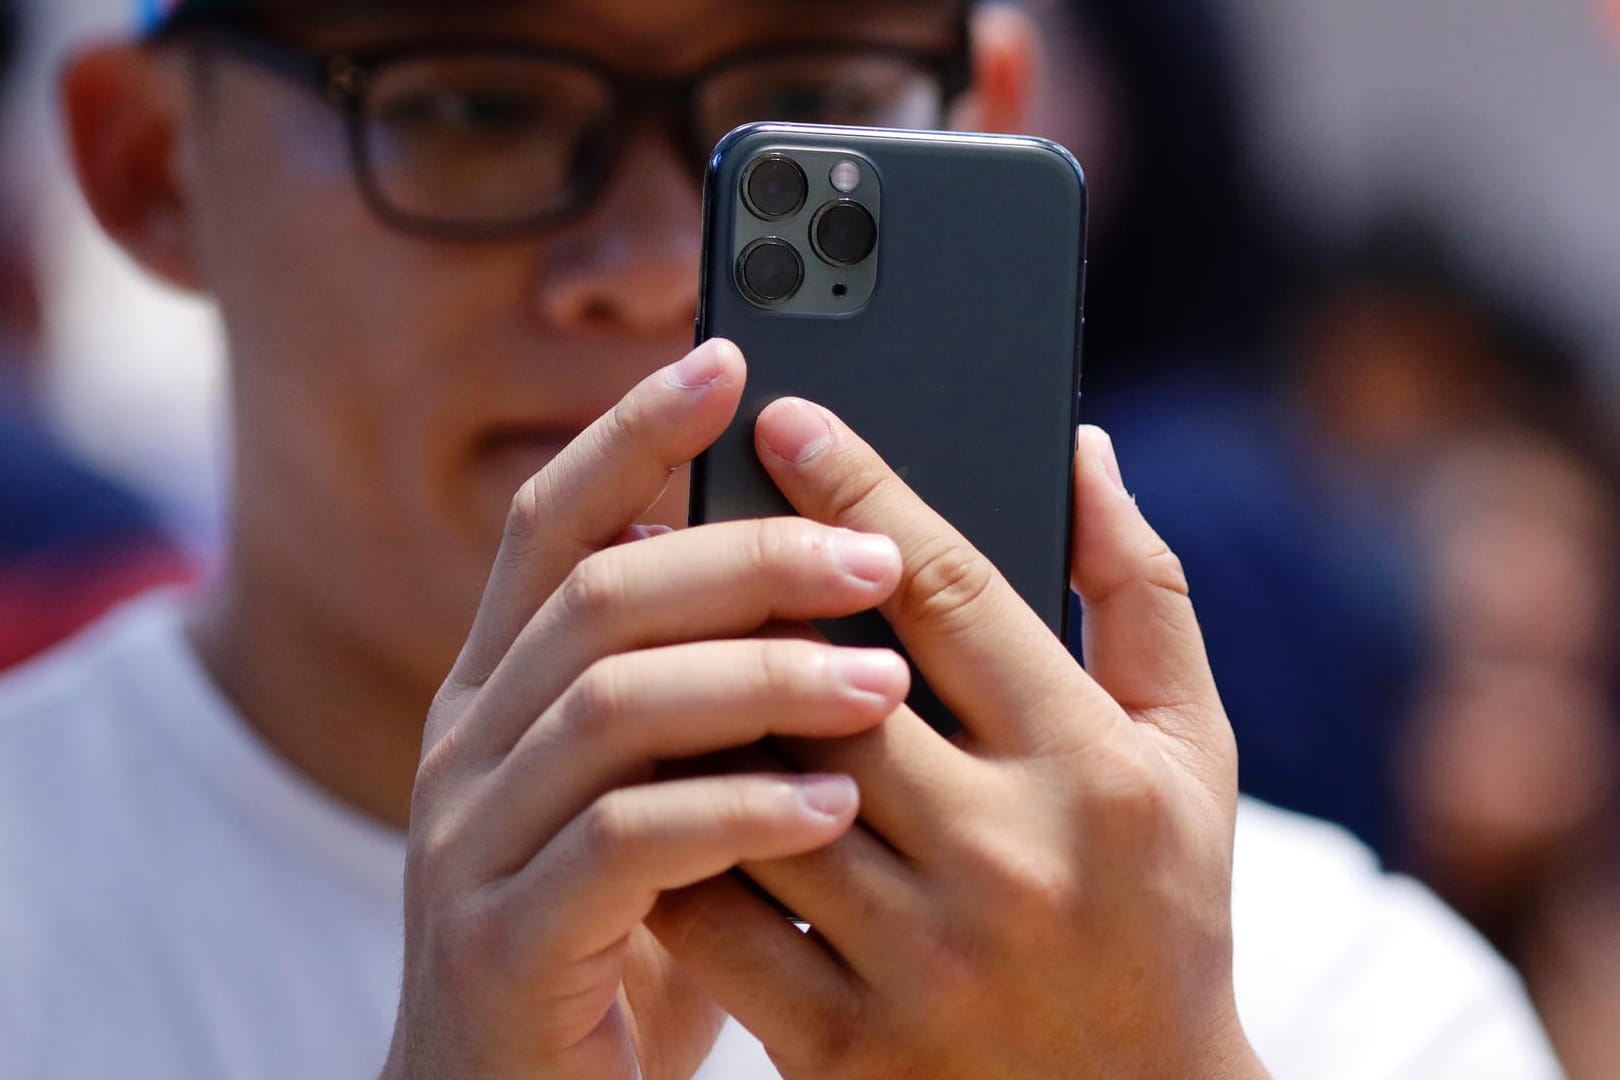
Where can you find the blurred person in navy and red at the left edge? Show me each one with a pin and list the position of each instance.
(72, 543)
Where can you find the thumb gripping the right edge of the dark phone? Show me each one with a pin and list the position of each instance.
(1141, 637)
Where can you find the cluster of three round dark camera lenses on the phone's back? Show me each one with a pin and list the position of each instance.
(843, 232)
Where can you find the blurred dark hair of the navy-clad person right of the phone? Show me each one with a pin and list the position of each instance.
(1195, 265)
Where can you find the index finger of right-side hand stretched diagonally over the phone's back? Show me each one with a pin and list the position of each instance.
(991, 660)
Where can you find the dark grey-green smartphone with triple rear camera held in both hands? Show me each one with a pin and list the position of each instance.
(927, 287)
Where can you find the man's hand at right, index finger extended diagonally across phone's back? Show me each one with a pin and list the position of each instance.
(1046, 896)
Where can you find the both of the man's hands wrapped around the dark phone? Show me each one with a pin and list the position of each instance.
(1047, 896)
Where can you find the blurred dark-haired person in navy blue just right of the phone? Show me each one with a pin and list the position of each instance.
(1303, 590)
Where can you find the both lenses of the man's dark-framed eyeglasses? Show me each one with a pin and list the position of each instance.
(487, 142)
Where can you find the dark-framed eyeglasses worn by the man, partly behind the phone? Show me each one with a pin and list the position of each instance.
(493, 140)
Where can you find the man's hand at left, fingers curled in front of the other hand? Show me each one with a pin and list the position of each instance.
(540, 836)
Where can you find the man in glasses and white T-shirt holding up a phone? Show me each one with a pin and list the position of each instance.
(202, 819)
